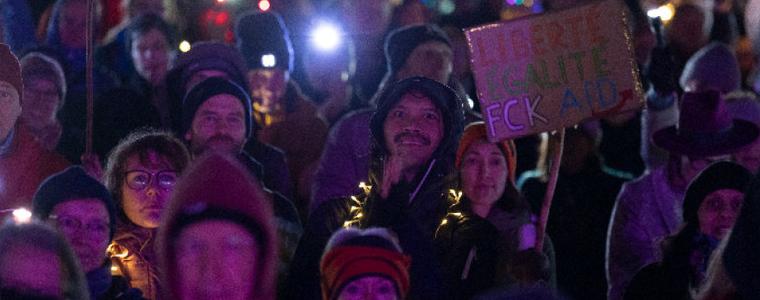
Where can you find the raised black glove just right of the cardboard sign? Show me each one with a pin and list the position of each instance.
(660, 71)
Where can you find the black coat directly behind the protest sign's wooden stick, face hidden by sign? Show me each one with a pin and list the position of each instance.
(578, 224)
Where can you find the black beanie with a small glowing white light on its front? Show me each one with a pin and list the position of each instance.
(261, 33)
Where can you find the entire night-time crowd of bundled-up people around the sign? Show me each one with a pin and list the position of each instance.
(251, 166)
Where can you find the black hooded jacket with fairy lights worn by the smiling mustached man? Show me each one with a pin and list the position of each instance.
(413, 216)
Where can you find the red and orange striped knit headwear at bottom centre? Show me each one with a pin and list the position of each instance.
(360, 256)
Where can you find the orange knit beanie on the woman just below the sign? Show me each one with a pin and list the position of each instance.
(477, 131)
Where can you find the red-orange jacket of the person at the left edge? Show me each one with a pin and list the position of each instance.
(24, 167)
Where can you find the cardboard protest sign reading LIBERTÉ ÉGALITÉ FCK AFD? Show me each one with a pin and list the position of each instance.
(550, 71)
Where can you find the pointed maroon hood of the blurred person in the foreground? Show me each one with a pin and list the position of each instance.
(216, 187)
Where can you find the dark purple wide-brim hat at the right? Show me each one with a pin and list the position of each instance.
(705, 128)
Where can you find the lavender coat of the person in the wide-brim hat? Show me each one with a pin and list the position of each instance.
(646, 211)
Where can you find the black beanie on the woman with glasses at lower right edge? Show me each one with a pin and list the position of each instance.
(717, 176)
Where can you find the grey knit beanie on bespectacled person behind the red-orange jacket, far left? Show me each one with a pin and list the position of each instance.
(36, 65)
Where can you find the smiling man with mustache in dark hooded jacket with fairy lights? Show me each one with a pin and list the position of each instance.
(414, 134)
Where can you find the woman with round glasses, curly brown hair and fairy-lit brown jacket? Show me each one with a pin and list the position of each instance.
(140, 174)
